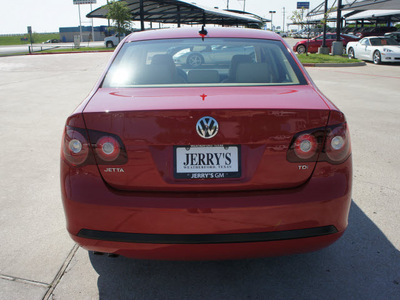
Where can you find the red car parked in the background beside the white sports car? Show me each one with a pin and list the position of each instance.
(313, 44)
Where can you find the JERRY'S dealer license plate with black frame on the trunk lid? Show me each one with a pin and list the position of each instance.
(207, 162)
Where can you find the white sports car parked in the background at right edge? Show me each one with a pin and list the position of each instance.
(375, 48)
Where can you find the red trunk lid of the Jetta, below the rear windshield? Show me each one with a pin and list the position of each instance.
(158, 127)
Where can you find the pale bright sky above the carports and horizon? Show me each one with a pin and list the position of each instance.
(49, 15)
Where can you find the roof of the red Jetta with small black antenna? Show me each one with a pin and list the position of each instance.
(193, 32)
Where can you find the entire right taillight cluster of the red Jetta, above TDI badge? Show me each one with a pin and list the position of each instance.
(331, 144)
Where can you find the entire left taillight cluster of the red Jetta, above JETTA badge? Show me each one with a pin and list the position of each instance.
(108, 149)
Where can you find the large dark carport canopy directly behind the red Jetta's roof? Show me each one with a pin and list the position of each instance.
(179, 12)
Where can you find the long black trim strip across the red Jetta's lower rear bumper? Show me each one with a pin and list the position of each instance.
(205, 238)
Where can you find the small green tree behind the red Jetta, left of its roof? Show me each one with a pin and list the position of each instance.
(120, 15)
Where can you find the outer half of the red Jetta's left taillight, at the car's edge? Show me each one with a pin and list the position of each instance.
(75, 146)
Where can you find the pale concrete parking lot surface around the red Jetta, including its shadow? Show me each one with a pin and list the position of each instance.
(39, 261)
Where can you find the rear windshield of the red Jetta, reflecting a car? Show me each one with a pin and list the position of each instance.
(212, 62)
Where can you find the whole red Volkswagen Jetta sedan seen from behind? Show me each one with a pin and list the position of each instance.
(225, 160)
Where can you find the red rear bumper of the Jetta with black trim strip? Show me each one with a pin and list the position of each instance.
(223, 225)
